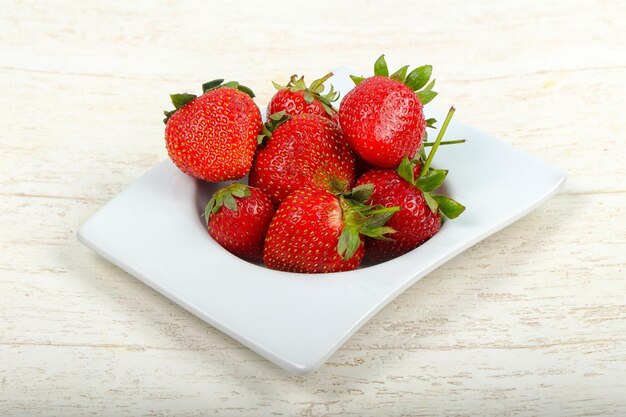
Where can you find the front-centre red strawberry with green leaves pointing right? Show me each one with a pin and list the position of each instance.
(315, 231)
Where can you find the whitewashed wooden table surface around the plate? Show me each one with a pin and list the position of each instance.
(531, 321)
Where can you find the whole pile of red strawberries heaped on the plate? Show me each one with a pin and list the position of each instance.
(327, 188)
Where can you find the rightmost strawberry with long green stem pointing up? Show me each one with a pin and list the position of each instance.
(420, 212)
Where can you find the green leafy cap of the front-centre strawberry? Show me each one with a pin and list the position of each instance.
(362, 219)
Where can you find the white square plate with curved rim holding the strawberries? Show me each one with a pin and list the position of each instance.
(153, 230)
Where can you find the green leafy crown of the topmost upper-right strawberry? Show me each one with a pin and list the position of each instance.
(416, 80)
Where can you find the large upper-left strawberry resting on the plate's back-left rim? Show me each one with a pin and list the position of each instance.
(213, 137)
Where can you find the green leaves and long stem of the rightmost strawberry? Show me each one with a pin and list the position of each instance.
(430, 179)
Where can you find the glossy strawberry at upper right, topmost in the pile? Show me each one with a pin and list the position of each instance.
(382, 117)
